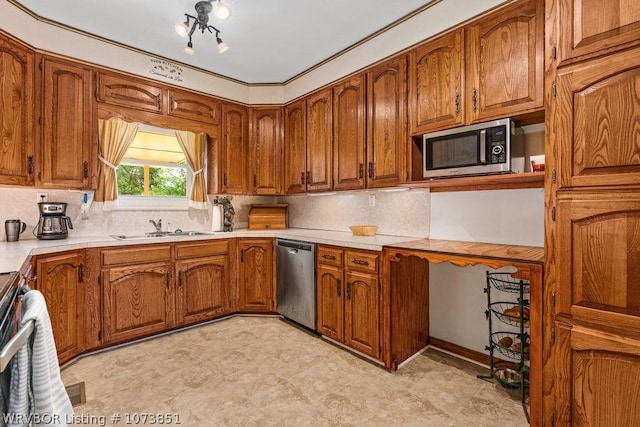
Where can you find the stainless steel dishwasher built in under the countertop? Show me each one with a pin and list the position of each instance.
(296, 281)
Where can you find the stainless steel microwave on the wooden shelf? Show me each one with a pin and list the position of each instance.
(481, 148)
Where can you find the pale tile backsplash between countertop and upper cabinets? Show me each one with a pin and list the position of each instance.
(402, 213)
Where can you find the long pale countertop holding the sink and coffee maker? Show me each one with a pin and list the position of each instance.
(14, 254)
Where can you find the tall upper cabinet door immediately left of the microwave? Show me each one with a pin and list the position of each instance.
(387, 142)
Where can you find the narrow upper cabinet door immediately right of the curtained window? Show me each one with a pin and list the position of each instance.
(235, 126)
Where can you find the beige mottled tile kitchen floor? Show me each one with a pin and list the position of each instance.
(255, 371)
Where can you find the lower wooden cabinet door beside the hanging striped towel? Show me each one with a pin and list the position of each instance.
(60, 279)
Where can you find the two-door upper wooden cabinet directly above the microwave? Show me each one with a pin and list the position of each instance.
(489, 69)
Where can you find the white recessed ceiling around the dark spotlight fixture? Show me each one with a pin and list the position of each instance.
(269, 41)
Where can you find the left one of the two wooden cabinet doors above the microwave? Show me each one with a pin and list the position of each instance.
(435, 84)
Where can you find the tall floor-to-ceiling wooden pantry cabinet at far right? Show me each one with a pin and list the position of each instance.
(592, 241)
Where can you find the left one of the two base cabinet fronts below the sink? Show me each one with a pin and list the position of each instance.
(137, 292)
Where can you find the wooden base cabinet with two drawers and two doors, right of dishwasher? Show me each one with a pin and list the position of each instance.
(348, 298)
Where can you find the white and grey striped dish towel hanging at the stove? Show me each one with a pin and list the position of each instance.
(36, 391)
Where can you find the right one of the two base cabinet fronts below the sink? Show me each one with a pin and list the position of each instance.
(203, 281)
